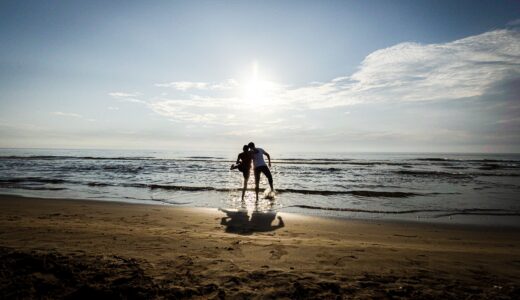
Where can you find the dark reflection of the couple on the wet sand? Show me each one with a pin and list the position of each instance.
(239, 221)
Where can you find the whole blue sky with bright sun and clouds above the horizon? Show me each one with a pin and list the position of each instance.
(300, 76)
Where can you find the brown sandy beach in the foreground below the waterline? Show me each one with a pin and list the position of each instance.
(86, 249)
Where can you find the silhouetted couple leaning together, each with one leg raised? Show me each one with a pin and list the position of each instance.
(243, 164)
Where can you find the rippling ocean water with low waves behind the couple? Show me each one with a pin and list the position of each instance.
(425, 187)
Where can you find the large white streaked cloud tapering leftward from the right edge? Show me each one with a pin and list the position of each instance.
(415, 72)
